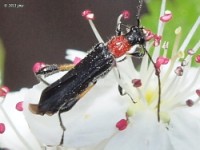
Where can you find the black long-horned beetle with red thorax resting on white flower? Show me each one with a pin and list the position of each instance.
(64, 93)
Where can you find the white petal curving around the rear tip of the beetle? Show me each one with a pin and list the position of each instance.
(45, 128)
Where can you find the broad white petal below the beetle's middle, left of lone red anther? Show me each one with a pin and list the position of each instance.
(98, 121)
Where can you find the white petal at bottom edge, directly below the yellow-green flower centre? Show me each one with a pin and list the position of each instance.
(144, 133)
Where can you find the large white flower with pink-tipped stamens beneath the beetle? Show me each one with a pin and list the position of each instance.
(159, 111)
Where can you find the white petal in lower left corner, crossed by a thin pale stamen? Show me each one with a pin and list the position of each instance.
(17, 134)
